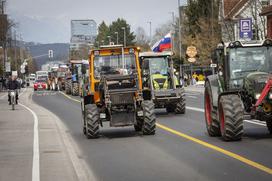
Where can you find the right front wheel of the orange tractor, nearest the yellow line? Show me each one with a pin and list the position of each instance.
(149, 122)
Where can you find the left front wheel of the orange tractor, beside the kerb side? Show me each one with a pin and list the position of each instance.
(91, 121)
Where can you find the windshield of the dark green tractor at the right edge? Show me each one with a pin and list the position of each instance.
(246, 60)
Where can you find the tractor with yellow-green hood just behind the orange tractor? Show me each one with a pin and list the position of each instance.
(160, 84)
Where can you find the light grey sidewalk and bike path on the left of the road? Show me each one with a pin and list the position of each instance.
(16, 144)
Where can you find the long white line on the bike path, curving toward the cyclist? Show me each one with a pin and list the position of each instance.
(36, 150)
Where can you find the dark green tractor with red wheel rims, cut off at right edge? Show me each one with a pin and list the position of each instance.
(241, 89)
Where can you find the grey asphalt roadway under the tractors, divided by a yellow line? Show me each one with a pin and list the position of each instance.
(121, 154)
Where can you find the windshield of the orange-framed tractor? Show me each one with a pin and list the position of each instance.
(114, 64)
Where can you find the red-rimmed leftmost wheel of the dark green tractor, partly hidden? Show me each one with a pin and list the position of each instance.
(212, 123)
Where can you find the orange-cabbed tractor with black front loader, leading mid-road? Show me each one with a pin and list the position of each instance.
(114, 93)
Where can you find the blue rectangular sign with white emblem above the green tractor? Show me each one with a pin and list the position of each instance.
(246, 28)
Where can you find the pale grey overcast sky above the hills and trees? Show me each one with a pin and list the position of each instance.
(48, 21)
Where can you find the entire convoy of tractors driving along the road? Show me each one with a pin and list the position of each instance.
(123, 86)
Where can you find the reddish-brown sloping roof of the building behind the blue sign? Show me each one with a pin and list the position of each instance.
(232, 7)
